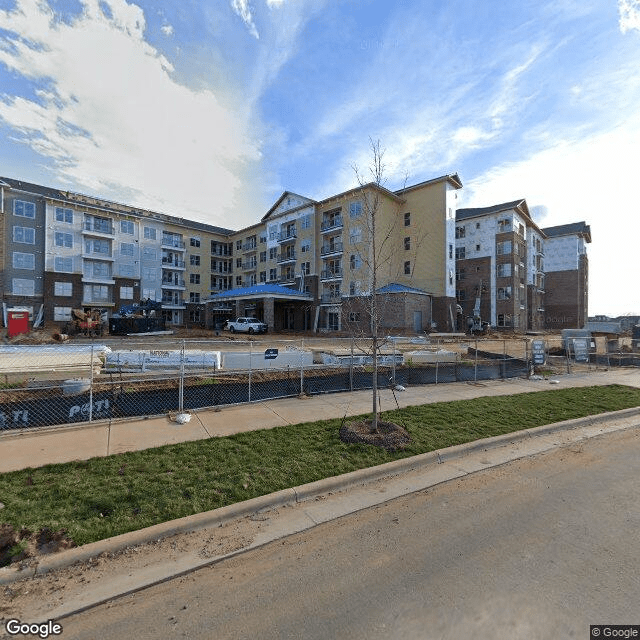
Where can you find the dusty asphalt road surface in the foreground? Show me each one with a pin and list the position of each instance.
(538, 548)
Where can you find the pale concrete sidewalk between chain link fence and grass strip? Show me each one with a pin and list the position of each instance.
(34, 448)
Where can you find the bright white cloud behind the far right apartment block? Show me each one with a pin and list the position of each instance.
(591, 179)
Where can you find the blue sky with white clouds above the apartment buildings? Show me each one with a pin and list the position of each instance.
(210, 109)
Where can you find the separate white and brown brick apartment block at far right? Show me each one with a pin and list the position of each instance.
(523, 277)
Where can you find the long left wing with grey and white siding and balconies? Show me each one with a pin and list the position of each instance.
(63, 250)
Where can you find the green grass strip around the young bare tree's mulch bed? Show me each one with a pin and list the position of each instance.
(103, 497)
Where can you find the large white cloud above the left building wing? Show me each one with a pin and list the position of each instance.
(111, 118)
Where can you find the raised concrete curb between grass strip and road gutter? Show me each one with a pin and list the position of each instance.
(294, 495)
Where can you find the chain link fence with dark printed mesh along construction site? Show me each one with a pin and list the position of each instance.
(61, 384)
